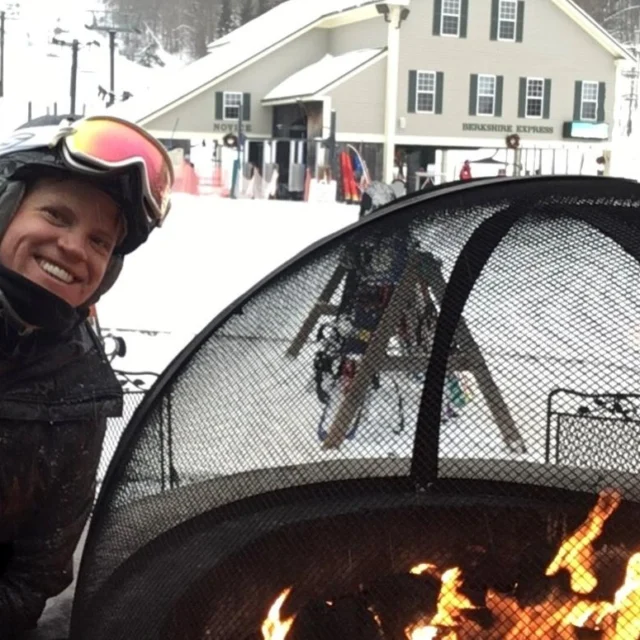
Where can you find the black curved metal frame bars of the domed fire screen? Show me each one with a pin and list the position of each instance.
(475, 254)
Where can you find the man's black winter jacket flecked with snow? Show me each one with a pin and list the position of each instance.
(53, 411)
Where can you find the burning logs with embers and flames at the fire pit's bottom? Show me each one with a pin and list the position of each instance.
(437, 603)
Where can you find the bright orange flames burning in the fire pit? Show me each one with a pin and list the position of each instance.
(555, 618)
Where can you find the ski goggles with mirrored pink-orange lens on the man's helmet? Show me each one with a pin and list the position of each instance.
(104, 143)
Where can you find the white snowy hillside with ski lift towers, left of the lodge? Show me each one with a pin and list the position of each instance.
(38, 71)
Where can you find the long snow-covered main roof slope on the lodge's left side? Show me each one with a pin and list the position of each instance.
(235, 49)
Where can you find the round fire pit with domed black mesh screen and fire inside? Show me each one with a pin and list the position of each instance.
(425, 426)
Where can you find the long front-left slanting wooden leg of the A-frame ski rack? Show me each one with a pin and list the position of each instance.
(373, 357)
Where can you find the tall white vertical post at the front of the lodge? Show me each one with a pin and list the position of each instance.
(391, 99)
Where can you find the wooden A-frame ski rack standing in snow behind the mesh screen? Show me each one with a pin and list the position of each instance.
(422, 269)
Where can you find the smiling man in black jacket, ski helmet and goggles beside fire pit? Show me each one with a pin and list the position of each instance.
(74, 200)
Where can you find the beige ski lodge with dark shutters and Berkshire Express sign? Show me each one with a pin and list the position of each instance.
(409, 83)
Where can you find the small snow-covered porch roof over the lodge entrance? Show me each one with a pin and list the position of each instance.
(321, 74)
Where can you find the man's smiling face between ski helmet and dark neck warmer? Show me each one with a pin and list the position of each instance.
(62, 238)
